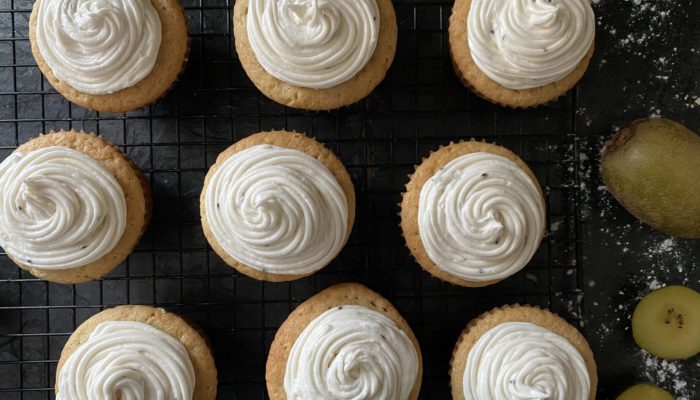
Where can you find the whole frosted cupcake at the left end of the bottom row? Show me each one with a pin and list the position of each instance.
(136, 352)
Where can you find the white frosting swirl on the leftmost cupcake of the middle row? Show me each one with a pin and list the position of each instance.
(59, 208)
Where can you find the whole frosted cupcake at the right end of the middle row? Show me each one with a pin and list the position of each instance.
(473, 214)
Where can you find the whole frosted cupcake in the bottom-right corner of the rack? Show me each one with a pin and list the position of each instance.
(522, 352)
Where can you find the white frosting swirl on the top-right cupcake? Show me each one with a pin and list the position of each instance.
(523, 44)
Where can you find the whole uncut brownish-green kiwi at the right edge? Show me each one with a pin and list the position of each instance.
(652, 167)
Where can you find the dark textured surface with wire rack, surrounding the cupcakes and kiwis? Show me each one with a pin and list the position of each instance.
(592, 266)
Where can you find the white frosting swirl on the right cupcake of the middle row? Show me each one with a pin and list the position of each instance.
(481, 217)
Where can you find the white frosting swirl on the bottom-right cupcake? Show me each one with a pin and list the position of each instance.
(523, 361)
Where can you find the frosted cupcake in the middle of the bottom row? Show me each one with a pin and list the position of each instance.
(346, 342)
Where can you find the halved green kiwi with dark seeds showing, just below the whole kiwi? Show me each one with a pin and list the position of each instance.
(666, 323)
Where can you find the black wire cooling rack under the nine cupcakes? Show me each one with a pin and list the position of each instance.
(418, 107)
